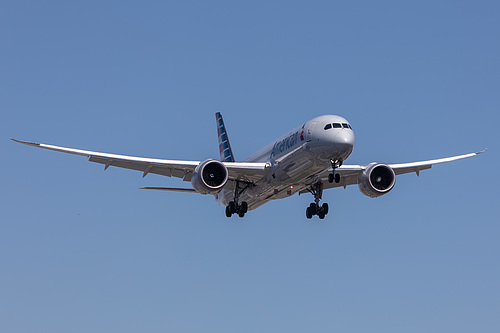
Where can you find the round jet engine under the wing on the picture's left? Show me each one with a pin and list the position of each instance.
(209, 177)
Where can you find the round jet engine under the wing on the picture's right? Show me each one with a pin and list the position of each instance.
(376, 180)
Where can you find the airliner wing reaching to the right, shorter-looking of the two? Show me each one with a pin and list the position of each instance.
(349, 173)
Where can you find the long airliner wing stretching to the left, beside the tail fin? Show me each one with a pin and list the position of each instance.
(245, 171)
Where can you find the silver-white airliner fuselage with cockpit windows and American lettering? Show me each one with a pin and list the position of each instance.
(296, 159)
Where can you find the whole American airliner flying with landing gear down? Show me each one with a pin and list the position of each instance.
(309, 159)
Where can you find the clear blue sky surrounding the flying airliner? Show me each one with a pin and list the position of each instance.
(83, 250)
